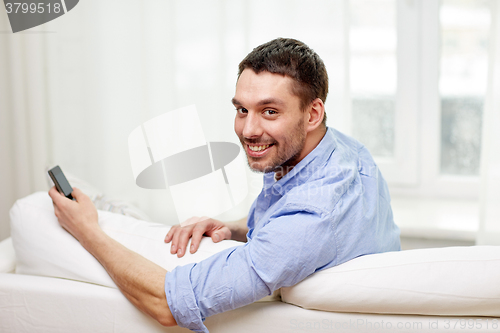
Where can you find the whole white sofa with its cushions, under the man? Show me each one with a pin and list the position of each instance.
(451, 289)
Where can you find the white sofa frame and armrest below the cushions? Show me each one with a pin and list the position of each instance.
(43, 304)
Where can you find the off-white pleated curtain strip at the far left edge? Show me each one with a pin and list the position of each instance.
(23, 118)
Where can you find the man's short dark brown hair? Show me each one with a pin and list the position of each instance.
(295, 59)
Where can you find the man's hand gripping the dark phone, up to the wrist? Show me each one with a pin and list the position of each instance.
(78, 218)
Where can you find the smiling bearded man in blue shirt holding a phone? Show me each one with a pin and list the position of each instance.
(323, 203)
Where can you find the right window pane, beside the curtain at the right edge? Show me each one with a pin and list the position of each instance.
(465, 26)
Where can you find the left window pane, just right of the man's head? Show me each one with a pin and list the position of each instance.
(373, 77)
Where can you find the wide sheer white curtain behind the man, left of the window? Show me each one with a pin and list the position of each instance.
(73, 89)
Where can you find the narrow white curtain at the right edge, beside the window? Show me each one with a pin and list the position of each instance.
(489, 226)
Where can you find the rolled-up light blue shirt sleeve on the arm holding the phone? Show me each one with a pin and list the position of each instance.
(286, 250)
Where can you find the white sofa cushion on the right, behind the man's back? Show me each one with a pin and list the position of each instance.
(454, 281)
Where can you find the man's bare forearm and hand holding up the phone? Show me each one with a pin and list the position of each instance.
(139, 279)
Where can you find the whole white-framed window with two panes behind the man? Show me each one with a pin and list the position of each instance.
(418, 73)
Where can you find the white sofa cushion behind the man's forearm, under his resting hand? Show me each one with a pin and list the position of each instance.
(44, 248)
